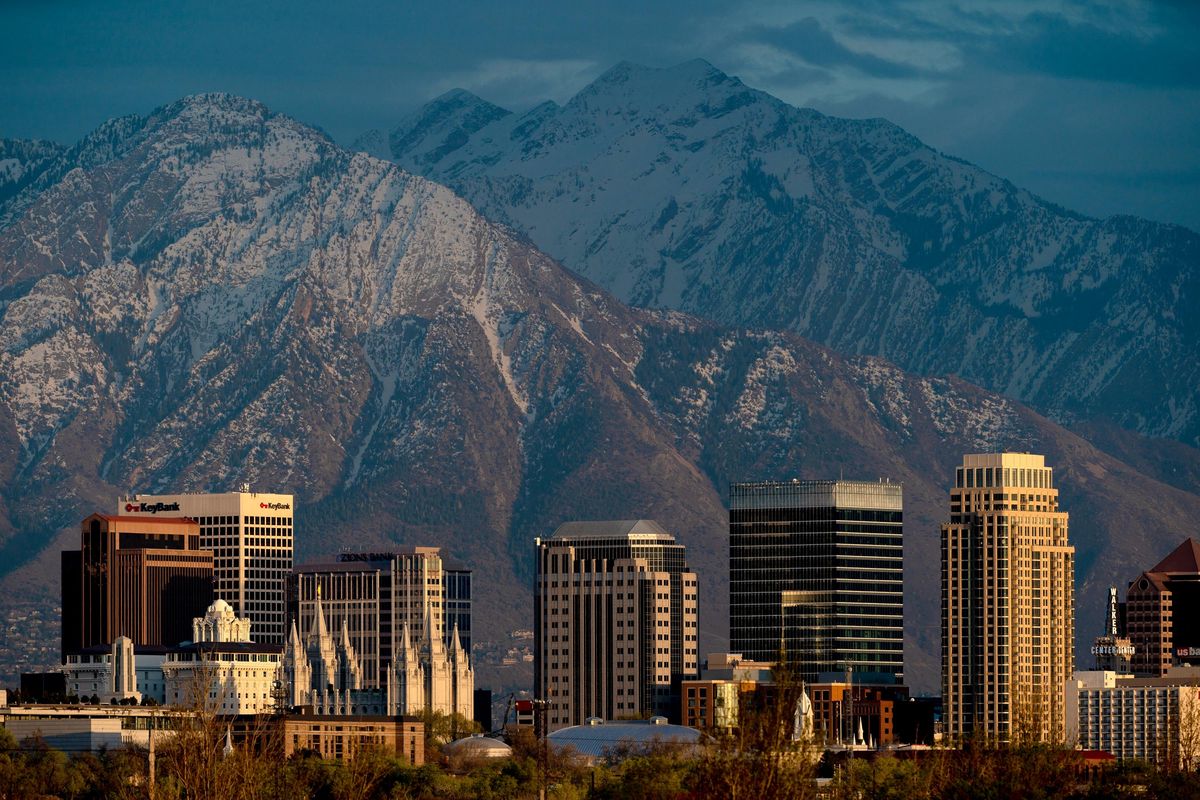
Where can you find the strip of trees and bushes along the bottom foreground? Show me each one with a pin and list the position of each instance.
(196, 767)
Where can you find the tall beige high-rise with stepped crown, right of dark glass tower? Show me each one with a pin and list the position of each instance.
(1009, 600)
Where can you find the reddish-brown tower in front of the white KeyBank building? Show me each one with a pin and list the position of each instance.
(142, 579)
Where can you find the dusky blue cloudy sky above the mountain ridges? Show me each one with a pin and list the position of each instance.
(1091, 105)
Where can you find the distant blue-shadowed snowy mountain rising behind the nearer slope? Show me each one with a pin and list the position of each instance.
(685, 189)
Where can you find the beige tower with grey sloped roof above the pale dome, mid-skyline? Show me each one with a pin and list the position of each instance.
(615, 622)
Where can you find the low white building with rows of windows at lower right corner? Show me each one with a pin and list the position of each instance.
(1155, 720)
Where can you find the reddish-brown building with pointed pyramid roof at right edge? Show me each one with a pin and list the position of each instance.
(1163, 612)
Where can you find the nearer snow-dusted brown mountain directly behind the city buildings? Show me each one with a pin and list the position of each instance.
(215, 294)
